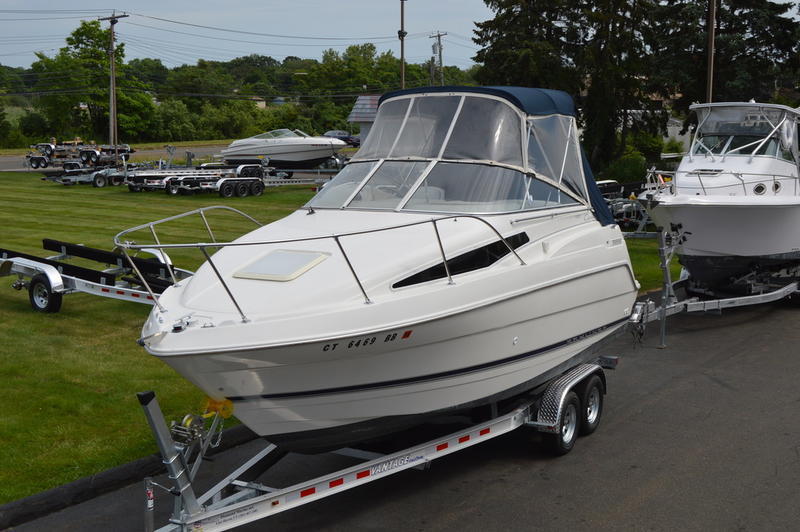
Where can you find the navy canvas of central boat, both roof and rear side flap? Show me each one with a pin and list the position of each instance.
(533, 102)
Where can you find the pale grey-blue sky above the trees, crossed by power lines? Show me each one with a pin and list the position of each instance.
(277, 28)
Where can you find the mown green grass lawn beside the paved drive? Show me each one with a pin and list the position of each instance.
(70, 378)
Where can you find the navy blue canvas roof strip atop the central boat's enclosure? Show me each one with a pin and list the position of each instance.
(530, 100)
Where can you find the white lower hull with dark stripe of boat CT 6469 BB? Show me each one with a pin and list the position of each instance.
(395, 378)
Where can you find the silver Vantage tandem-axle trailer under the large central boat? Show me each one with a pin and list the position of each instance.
(558, 408)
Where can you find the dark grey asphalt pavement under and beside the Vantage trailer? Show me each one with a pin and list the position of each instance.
(702, 435)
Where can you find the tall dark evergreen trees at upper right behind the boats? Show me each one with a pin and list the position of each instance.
(631, 63)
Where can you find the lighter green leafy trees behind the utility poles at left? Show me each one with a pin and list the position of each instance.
(66, 95)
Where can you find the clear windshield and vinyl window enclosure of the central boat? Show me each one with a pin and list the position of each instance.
(460, 153)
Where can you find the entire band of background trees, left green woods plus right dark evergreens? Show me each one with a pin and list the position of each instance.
(629, 64)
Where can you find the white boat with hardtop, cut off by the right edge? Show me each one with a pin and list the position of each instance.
(735, 195)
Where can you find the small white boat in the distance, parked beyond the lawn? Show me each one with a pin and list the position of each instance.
(284, 148)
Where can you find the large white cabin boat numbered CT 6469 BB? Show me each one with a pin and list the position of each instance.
(459, 259)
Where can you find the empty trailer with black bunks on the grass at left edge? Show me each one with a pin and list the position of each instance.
(48, 279)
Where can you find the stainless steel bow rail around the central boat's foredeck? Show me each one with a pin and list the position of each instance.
(121, 241)
